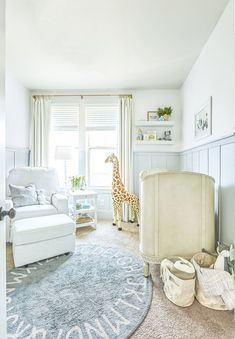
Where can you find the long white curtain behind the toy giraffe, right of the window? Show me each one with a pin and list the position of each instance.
(125, 148)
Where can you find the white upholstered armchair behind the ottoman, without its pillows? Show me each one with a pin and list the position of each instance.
(43, 178)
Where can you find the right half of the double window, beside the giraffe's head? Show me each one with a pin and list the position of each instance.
(101, 126)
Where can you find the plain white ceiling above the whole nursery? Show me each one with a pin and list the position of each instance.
(106, 44)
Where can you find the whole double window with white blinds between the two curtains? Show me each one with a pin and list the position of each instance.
(89, 127)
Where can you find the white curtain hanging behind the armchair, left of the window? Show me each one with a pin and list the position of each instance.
(40, 131)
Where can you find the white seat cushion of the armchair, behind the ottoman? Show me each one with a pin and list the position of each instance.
(34, 211)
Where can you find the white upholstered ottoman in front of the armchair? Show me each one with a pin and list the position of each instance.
(42, 237)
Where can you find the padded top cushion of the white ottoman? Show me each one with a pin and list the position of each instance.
(31, 230)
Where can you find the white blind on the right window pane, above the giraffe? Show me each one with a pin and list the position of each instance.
(101, 113)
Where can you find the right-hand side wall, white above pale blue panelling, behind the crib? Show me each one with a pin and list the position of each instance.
(214, 75)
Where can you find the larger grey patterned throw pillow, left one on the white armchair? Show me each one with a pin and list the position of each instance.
(23, 196)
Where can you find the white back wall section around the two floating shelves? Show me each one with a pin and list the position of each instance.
(149, 100)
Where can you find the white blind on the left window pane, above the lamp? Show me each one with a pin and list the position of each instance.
(65, 116)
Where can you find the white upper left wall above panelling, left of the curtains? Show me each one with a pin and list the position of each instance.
(17, 114)
